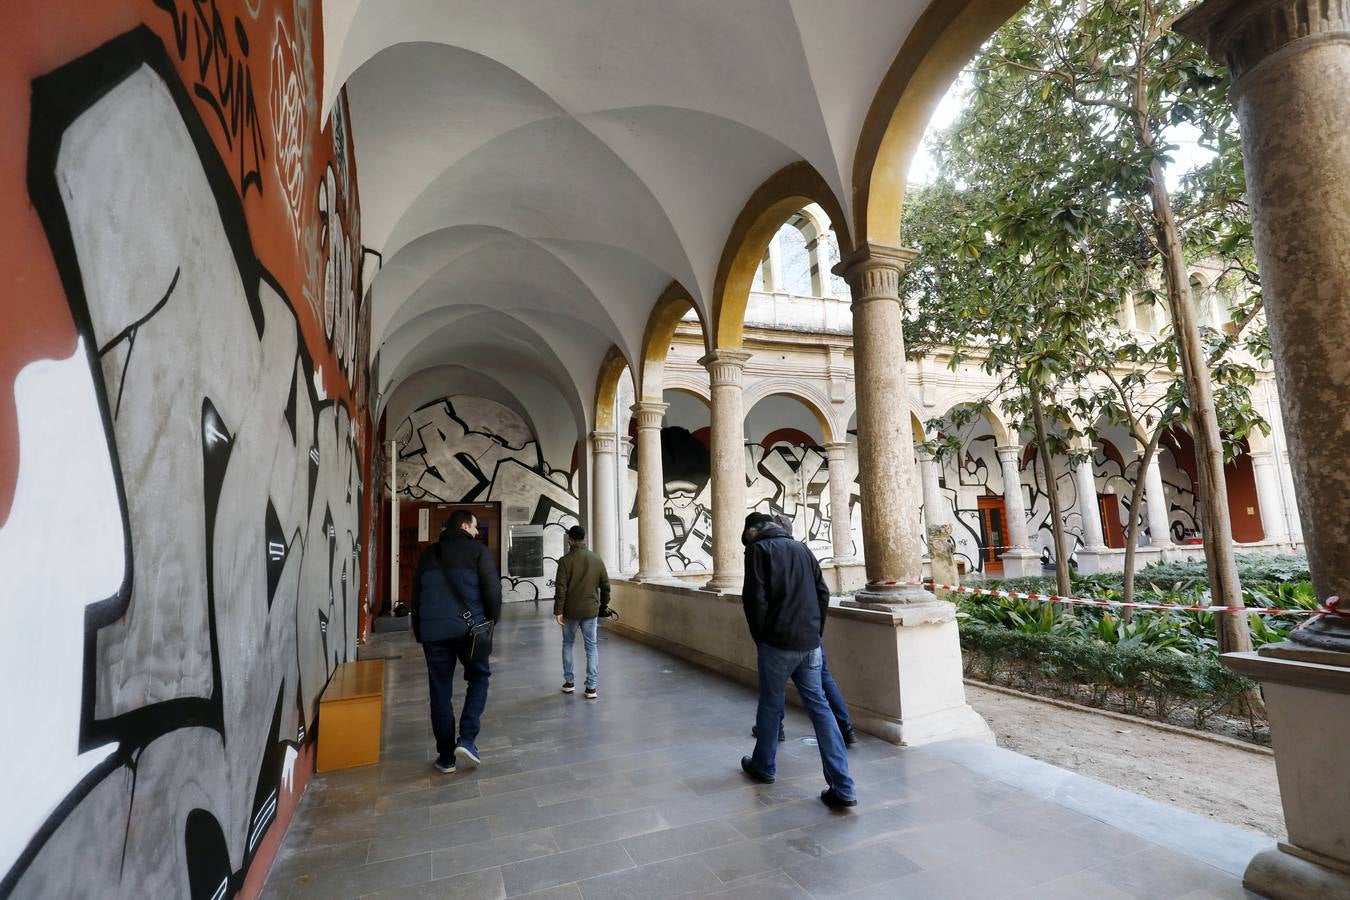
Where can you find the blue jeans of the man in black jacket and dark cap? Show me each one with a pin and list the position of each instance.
(804, 667)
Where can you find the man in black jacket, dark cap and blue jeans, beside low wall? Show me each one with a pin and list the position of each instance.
(786, 602)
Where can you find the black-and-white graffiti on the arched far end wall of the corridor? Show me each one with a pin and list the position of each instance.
(466, 450)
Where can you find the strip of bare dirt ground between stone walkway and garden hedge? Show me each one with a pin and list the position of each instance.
(1205, 778)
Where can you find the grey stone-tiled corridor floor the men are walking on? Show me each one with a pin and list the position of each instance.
(641, 795)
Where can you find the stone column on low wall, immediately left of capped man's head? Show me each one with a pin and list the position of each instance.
(726, 370)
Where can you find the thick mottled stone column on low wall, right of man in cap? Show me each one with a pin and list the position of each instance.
(893, 547)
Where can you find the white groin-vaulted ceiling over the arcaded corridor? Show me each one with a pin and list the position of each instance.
(537, 173)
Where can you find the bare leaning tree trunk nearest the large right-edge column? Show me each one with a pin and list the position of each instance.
(1225, 588)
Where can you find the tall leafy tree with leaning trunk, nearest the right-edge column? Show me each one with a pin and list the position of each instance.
(1067, 137)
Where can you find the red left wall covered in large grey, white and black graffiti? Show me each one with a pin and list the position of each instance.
(183, 447)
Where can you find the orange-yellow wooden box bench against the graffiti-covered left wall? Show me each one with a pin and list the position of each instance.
(350, 713)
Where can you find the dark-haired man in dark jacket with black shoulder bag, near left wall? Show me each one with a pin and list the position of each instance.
(456, 577)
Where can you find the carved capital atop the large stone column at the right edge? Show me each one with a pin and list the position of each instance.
(1247, 33)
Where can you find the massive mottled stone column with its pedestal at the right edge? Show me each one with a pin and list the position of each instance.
(1290, 63)
